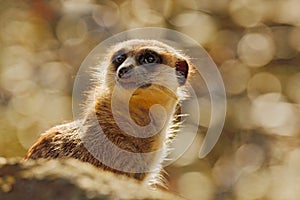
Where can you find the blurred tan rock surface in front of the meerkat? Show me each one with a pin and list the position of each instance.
(68, 179)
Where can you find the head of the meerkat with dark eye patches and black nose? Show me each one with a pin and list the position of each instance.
(145, 64)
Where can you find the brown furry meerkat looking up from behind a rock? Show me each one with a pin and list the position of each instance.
(120, 130)
